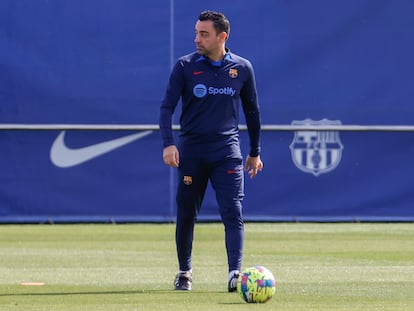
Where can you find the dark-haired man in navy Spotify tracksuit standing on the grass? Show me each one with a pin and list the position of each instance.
(210, 83)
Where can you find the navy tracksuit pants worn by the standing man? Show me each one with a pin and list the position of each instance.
(227, 179)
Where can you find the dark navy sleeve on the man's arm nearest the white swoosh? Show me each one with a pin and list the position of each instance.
(169, 103)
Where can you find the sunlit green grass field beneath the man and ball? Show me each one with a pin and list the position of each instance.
(131, 267)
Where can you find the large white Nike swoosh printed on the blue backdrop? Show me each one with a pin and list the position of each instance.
(63, 156)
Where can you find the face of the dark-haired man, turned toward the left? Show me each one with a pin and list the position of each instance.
(207, 41)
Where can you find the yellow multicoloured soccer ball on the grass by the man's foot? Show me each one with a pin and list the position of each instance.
(256, 285)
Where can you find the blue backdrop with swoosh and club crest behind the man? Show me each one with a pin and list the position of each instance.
(107, 62)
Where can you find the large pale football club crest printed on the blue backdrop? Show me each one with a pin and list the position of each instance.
(314, 151)
